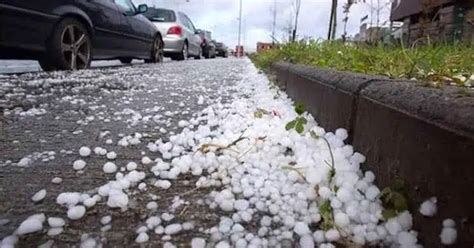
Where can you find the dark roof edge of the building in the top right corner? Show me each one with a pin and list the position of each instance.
(405, 8)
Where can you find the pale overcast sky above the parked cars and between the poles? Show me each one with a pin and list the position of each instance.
(221, 17)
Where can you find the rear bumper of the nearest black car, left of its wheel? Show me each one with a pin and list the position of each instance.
(23, 32)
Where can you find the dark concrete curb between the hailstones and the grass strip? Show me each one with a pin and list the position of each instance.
(422, 135)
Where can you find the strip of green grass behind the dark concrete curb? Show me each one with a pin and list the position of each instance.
(436, 63)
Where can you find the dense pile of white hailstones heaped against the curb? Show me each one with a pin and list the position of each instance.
(272, 180)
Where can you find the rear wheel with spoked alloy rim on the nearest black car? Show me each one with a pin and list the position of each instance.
(69, 47)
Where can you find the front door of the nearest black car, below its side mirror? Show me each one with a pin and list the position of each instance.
(137, 37)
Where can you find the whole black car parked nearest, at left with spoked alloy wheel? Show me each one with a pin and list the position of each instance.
(68, 34)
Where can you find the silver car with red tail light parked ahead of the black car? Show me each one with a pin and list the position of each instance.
(179, 34)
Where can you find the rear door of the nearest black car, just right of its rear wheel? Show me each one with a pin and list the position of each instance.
(106, 20)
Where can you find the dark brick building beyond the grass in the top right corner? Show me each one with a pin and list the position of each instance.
(435, 20)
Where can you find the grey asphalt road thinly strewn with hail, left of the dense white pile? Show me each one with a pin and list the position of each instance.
(47, 117)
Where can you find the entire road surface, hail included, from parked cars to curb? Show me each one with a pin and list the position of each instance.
(179, 154)
